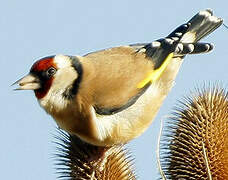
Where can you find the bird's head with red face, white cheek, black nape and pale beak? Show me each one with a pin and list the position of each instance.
(53, 75)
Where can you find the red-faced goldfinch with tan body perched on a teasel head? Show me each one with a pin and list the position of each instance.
(111, 96)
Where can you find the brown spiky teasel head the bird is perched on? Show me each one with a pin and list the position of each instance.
(78, 160)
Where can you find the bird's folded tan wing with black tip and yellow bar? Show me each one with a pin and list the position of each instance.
(124, 73)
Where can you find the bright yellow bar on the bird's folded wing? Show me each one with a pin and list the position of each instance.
(155, 74)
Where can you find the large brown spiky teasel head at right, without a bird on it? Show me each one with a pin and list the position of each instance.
(195, 143)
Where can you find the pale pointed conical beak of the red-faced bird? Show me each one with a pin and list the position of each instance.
(29, 82)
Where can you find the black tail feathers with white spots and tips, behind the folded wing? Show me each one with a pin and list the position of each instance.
(200, 26)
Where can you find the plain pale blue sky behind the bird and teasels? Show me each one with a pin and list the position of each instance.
(30, 30)
